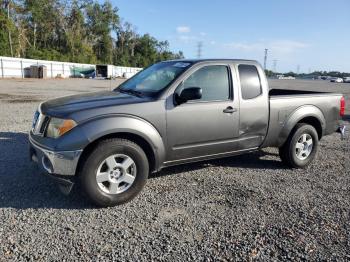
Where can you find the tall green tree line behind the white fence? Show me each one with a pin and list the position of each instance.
(82, 31)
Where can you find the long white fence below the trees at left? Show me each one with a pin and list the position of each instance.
(20, 68)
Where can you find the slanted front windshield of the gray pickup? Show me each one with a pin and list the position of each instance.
(154, 79)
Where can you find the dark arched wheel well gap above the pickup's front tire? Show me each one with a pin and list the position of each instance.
(129, 136)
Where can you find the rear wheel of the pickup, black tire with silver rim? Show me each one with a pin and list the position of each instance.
(301, 146)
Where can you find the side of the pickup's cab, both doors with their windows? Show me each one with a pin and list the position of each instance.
(231, 115)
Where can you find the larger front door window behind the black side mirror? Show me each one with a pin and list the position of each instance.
(214, 81)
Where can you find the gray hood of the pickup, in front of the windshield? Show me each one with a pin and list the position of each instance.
(63, 106)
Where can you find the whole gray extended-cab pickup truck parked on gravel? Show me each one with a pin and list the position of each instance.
(171, 113)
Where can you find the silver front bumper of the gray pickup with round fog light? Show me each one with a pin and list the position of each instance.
(61, 163)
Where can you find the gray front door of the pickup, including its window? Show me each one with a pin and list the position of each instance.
(207, 126)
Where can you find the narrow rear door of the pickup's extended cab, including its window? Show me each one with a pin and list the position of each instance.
(254, 105)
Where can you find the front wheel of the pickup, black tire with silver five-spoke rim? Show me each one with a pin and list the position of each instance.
(114, 172)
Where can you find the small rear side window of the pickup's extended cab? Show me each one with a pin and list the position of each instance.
(250, 81)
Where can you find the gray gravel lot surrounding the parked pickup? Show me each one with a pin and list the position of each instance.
(246, 207)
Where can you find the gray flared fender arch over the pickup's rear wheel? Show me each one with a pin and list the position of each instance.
(296, 116)
